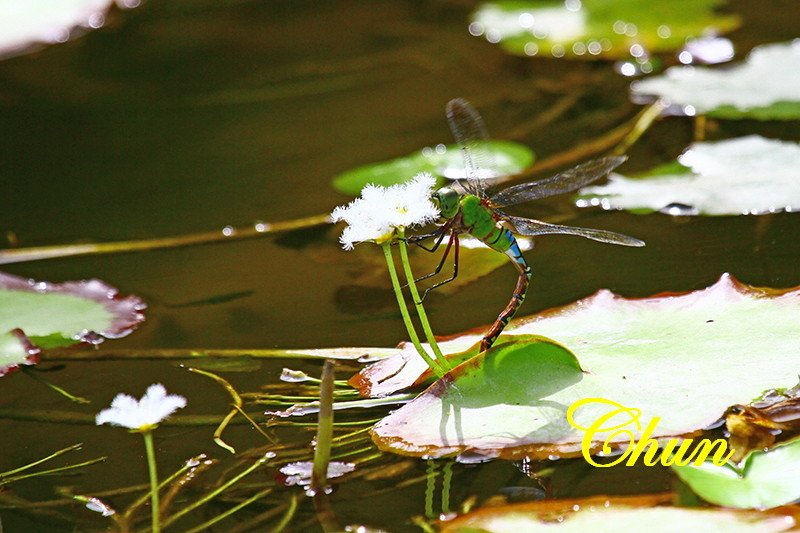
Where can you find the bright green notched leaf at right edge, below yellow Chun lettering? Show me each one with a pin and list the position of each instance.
(765, 480)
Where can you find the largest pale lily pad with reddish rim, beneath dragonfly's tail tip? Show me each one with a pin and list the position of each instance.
(653, 354)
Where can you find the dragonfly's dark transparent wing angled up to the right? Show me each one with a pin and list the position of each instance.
(566, 181)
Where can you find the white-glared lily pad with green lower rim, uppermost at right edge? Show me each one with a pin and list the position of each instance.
(764, 87)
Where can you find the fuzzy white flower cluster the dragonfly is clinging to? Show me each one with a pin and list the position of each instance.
(381, 210)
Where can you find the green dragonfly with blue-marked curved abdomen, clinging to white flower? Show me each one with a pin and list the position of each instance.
(467, 208)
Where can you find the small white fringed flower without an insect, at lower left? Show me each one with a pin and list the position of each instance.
(144, 414)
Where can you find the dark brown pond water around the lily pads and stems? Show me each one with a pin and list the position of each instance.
(187, 116)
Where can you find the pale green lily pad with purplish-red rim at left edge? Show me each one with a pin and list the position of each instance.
(42, 315)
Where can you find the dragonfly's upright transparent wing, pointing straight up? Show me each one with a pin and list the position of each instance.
(470, 133)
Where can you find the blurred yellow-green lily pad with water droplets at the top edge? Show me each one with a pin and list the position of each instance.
(594, 29)
